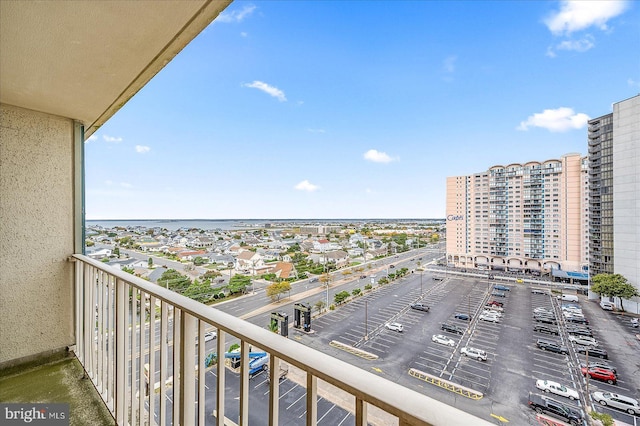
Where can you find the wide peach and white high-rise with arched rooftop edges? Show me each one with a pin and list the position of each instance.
(529, 217)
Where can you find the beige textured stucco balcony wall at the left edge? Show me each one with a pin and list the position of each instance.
(36, 233)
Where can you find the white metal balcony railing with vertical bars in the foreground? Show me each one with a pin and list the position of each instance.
(124, 322)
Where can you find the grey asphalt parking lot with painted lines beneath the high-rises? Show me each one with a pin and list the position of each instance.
(513, 360)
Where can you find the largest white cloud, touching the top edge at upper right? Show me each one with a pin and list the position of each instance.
(576, 15)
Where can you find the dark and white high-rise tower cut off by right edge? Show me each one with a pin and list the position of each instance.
(614, 179)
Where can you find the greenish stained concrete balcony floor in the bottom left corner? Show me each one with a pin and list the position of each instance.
(58, 379)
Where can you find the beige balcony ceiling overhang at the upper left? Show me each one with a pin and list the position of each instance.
(85, 59)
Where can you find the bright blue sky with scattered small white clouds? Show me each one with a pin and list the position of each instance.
(337, 109)
